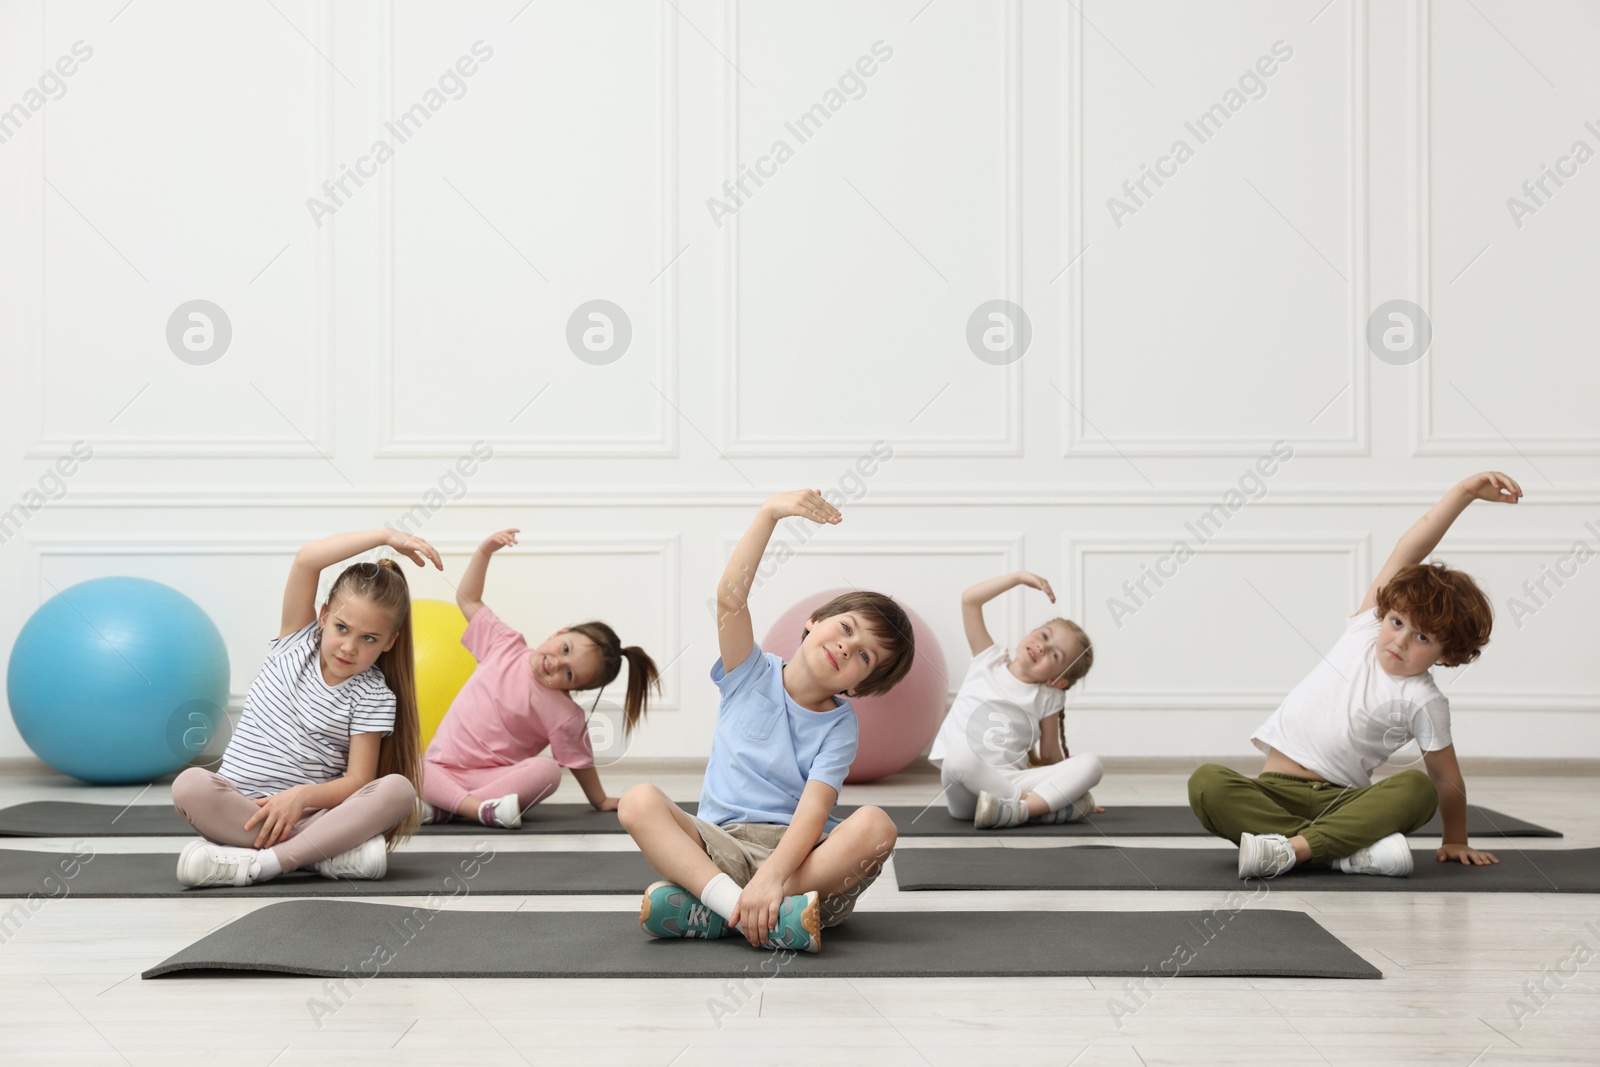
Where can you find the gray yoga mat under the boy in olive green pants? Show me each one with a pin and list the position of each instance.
(1113, 868)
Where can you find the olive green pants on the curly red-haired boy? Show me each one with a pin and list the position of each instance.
(1334, 820)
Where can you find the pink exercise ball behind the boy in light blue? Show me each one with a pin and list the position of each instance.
(895, 725)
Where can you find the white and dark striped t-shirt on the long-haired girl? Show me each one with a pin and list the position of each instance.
(297, 729)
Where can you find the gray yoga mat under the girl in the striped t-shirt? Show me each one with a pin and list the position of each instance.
(410, 874)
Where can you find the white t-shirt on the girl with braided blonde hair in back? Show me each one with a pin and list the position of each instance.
(998, 711)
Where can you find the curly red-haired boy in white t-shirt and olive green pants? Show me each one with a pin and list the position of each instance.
(1372, 693)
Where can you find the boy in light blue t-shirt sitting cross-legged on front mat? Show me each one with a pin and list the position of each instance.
(767, 858)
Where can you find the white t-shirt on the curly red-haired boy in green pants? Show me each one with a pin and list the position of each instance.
(1350, 714)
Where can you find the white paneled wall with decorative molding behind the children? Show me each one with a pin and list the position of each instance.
(1170, 346)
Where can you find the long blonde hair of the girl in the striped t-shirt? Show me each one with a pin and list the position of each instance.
(401, 753)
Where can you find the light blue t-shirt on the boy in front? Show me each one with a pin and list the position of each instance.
(767, 748)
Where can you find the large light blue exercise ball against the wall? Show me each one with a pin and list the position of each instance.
(119, 681)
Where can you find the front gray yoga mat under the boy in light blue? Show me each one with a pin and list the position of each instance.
(346, 940)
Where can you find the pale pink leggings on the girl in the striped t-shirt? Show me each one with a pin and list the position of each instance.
(215, 807)
